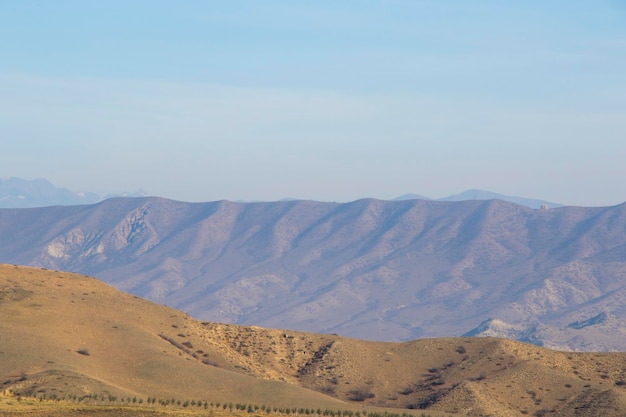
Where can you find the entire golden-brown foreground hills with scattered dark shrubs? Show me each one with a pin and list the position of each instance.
(66, 334)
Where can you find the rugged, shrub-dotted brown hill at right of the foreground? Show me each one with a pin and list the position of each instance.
(480, 376)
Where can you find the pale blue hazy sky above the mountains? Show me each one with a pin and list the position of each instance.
(327, 100)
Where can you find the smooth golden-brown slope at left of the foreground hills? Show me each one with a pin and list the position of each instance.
(68, 333)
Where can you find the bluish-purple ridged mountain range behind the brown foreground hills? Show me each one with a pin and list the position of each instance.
(381, 270)
